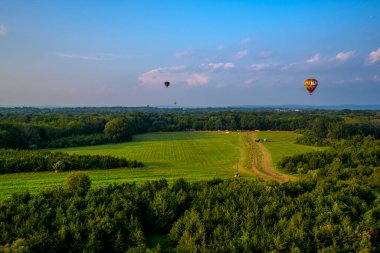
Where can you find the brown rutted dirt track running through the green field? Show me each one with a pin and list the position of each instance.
(261, 163)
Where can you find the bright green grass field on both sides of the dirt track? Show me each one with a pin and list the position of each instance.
(189, 155)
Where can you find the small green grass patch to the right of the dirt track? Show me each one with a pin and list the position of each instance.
(281, 144)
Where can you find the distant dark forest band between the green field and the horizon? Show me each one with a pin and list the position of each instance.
(30, 128)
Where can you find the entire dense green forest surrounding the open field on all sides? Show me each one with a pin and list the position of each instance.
(334, 208)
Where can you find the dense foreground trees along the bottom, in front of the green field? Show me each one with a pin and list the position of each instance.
(322, 213)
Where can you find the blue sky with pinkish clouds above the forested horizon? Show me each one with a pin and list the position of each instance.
(213, 52)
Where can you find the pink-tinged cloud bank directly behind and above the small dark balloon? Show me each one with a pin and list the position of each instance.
(175, 74)
